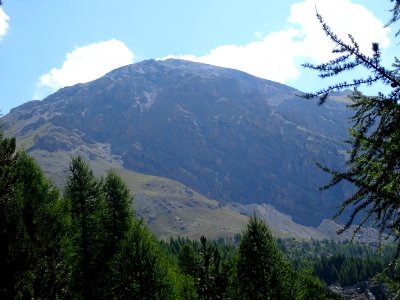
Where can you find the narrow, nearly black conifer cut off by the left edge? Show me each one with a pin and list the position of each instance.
(14, 245)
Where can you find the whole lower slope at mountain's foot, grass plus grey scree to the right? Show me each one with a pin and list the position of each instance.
(171, 208)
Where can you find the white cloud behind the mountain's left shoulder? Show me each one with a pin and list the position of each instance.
(85, 64)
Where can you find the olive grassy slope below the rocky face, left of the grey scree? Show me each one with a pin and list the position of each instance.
(169, 208)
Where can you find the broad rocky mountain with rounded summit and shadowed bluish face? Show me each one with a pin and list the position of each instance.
(222, 133)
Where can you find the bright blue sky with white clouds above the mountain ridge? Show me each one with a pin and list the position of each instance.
(47, 44)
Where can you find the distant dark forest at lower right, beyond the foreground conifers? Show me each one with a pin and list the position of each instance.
(345, 264)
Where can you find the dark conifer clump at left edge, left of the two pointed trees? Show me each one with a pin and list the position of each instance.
(31, 229)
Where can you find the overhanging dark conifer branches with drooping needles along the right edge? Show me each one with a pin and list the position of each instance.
(374, 160)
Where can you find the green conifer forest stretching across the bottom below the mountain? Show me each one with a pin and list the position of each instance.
(85, 242)
